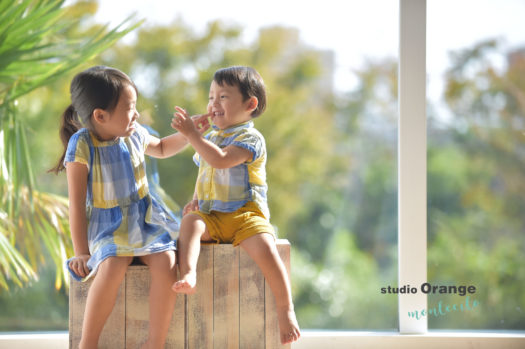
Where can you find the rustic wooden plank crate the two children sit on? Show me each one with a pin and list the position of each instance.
(232, 308)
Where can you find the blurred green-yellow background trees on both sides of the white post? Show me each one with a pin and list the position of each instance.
(332, 167)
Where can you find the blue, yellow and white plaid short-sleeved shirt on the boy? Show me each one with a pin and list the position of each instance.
(227, 190)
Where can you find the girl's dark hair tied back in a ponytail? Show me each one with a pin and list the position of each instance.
(98, 87)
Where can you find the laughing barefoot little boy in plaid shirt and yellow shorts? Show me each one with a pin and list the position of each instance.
(229, 204)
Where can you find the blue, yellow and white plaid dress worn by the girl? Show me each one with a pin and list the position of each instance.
(124, 219)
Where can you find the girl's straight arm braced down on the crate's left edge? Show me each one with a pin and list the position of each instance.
(77, 175)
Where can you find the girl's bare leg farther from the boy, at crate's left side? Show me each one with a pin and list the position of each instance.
(101, 298)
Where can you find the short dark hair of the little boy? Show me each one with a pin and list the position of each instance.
(248, 80)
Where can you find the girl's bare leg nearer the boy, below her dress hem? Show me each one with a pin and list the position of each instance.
(163, 271)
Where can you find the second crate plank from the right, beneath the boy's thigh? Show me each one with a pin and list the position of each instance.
(251, 304)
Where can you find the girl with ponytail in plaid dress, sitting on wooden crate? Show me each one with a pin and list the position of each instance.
(112, 215)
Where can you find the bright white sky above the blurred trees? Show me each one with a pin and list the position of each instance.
(354, 30)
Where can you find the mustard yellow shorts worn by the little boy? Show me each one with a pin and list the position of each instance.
(234, 227)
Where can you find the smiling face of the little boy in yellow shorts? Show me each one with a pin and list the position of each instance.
(227, 107)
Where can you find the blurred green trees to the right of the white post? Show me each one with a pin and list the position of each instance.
(476, 188)
